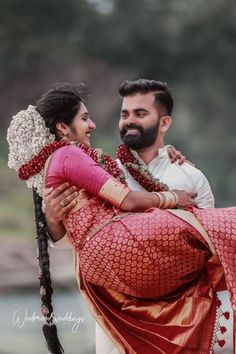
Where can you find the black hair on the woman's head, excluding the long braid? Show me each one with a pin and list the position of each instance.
(60, 104)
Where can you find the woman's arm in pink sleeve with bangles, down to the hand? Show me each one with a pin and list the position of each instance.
(73, 165)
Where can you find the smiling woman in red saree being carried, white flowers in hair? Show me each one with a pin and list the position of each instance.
(127, 259)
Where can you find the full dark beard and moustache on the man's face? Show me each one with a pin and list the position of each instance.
(145, 139)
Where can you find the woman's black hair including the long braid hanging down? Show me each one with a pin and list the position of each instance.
(59, 104)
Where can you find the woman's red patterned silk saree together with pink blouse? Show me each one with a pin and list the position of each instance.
(149, 278)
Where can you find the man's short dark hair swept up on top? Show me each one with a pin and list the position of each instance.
(161, 91)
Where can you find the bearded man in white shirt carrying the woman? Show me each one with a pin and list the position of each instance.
(144, 121)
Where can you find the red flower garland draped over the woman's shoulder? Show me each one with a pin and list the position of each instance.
(36, 164)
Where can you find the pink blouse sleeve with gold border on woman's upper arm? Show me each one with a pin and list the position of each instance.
(73, 165)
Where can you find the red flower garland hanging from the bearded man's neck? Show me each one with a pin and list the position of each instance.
(141, 174)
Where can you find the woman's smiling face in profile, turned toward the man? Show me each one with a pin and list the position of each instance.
(81, 127)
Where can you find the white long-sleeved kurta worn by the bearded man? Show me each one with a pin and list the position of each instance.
(182, 177)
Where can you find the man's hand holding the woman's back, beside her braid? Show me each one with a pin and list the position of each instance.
(59, 202)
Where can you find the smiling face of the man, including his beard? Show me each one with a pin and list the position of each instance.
(139, 121)
